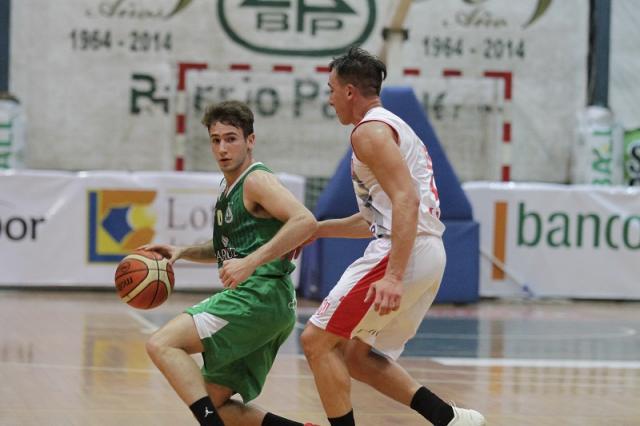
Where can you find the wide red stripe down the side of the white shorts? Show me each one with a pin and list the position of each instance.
(352, 307)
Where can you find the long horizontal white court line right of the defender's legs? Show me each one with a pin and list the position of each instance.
(552, 363)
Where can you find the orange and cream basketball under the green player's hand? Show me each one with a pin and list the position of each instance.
(144, 279)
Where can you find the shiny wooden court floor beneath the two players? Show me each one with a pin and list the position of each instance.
(78, 358)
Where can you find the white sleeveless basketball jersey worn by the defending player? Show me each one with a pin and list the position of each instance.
(373, 202)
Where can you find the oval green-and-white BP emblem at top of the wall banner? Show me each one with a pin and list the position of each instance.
(310, 27)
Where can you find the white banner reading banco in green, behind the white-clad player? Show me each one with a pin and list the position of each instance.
(577, 241)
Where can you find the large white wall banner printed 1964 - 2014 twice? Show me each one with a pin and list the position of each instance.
(103, 81)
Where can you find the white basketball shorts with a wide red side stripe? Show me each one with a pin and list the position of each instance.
(345, 313)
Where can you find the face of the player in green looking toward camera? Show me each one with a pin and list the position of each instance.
(230, 148)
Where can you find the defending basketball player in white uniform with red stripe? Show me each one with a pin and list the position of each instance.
(382, 297)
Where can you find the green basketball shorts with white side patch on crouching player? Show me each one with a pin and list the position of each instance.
(242, 329)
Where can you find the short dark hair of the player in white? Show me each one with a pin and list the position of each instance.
(360, 68)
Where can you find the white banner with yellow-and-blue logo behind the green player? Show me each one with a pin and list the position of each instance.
(71, 229)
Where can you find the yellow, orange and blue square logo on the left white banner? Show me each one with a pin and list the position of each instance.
(119, 221)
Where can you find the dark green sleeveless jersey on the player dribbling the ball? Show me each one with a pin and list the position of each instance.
(237, 233)
